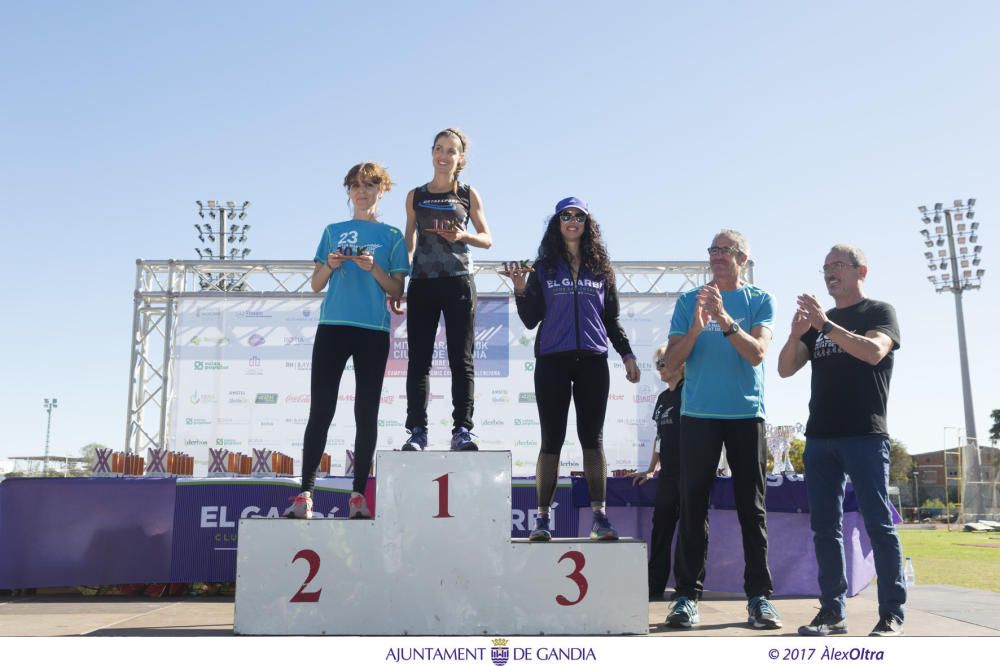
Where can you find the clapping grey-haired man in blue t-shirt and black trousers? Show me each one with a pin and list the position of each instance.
(722, 332)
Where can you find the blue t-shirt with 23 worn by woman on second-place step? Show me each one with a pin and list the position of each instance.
(353, 296)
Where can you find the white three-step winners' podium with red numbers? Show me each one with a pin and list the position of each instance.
(437, 559)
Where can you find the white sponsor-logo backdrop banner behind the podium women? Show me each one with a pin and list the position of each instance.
(241, 381)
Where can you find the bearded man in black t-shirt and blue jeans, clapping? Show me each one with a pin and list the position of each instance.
(851, 350)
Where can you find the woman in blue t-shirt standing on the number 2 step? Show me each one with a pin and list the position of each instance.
(361, 262)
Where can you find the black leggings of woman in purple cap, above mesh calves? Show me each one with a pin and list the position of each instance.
(586, 380)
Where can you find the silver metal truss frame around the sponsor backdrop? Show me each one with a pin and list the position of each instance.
(159, 285)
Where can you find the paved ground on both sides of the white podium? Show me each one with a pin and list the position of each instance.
(933, 610)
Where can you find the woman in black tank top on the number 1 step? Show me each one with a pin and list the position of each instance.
(438, 238)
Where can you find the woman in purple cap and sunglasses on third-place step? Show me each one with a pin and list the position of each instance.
(571, 292)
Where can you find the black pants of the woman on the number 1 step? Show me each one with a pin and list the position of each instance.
(426, 300)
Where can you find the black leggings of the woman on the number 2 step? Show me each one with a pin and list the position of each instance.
(333, 346)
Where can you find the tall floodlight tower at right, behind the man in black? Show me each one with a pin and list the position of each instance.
(956, 270)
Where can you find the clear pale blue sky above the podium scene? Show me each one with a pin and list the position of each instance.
(800, 124)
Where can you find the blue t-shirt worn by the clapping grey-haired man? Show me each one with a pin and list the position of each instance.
(718, 382)
